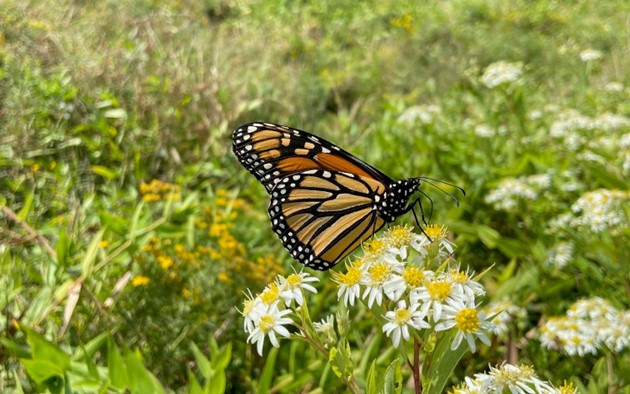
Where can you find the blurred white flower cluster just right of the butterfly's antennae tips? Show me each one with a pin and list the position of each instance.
(506, 195)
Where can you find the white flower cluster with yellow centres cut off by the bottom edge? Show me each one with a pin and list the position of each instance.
(515, 379)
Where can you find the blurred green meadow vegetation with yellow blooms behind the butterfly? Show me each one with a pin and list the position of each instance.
(129, 232)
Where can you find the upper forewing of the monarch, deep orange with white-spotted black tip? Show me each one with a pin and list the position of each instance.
(271, 152)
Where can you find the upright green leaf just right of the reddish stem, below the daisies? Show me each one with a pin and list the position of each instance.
(443, 363)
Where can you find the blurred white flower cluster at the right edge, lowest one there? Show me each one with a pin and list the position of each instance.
(588, 326)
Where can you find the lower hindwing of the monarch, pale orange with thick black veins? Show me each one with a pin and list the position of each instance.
(321, 216)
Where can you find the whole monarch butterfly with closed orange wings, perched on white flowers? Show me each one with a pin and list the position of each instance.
(324, 201)
